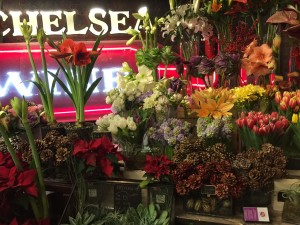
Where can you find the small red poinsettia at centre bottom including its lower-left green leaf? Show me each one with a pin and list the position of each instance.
(157, 169)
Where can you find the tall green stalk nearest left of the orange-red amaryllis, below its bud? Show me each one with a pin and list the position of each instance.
(49, 111)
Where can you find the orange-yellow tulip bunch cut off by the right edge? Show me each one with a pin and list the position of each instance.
(288, 102)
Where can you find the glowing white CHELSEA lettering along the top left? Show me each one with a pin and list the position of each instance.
(58, 22)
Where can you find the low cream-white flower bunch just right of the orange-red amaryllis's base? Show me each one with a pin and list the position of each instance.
(115, 123)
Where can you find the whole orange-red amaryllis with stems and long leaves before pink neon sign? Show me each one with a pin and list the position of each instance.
(76, 63)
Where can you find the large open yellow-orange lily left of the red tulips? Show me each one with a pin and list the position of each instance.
(214, 103)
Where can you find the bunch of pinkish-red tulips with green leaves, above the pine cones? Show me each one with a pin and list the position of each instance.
(258, 128)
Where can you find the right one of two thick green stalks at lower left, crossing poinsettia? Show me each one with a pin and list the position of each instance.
(37, 162)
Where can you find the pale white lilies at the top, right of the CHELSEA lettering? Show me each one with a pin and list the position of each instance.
(183, 19)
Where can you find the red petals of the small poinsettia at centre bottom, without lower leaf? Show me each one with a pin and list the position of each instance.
(157, 165)
